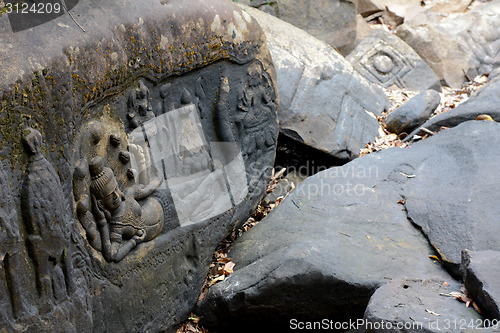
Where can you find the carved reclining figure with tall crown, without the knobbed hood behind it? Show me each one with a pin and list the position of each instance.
(122, 220)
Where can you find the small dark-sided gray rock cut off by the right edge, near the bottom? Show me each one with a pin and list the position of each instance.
(481, 270)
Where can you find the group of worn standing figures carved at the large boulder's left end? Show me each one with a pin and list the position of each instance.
(56, 280)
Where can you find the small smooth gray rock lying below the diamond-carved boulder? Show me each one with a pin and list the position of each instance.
(413, 113)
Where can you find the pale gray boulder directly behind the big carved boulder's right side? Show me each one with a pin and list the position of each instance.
(324, 103)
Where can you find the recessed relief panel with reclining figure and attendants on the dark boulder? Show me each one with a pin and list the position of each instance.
(189, 142)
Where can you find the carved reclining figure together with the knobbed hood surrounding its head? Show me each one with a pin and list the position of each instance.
(115, 221)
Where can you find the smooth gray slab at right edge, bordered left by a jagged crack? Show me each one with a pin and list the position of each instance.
(454, 193)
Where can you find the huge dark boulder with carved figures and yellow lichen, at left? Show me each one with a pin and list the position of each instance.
(134, 138)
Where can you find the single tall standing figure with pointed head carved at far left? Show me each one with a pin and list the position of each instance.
(48, 224)
